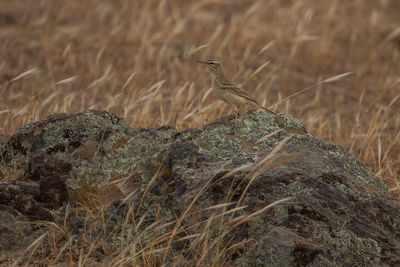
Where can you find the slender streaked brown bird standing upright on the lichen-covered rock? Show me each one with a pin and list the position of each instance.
(226, 90)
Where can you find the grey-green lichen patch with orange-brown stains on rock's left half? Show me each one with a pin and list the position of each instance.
(114, 156)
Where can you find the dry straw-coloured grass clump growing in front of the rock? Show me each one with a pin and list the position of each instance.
(206, 242)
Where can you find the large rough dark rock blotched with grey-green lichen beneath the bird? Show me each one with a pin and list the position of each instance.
(338, 213)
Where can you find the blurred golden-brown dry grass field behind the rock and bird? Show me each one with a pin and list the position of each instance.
(137, 59)
